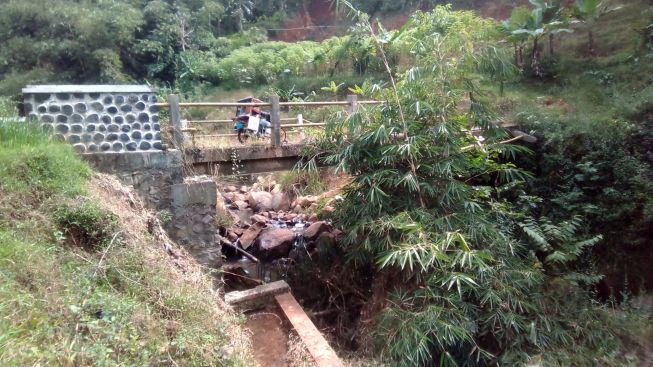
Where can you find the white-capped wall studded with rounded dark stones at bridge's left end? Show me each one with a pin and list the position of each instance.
(97, 118)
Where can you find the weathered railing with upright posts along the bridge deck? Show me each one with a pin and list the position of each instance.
(180, 127)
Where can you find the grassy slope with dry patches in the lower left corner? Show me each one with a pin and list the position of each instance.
(114, 300)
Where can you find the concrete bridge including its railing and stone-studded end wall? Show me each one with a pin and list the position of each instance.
(102, 119)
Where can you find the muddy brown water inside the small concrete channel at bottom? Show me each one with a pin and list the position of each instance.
(269, 338)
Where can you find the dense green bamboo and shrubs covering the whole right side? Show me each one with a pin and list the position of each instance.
(477, 260)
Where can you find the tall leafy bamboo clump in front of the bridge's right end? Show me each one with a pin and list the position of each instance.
(466, 284)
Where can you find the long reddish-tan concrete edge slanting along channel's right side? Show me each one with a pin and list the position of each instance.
(317, 346)
